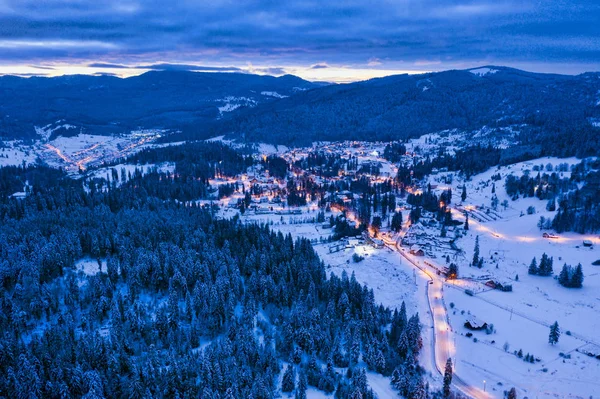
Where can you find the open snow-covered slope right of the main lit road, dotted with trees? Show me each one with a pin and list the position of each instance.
(521, 318)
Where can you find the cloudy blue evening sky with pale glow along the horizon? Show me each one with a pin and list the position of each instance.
(338, 40)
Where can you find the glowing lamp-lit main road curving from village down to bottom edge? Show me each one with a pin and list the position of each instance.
(443, 343)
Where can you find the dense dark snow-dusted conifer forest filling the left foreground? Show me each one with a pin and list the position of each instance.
(180, 305)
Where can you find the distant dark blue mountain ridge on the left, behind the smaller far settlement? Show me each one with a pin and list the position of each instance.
(158, 99)
